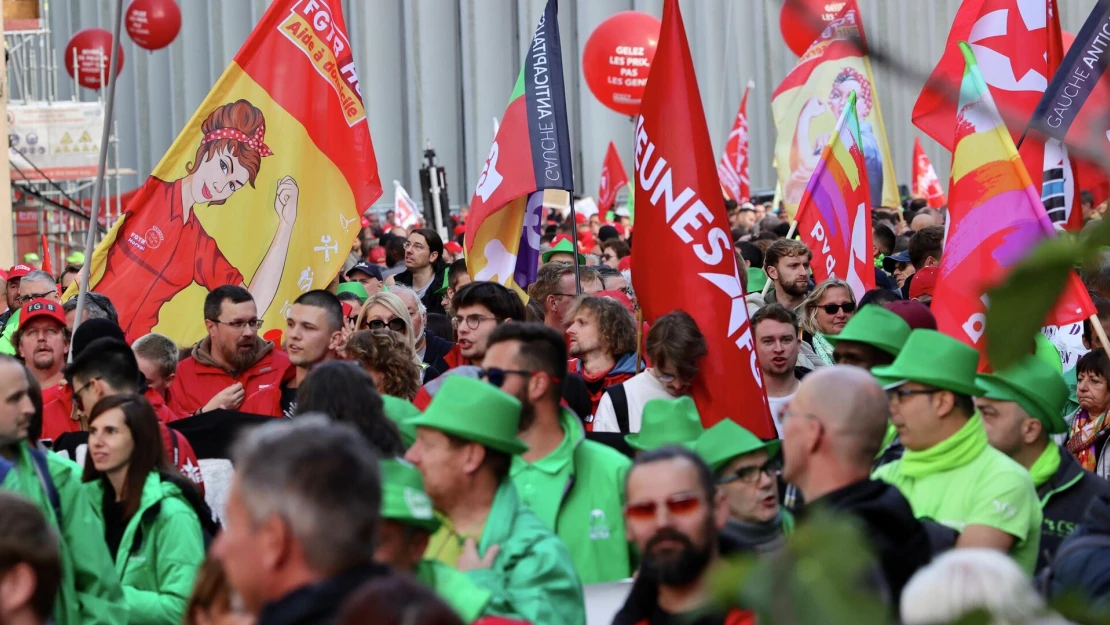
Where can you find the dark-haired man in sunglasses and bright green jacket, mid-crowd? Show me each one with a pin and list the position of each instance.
(574, 486)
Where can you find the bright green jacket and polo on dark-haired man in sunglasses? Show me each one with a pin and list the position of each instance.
(590, 518)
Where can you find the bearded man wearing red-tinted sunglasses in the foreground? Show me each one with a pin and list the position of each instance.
(674, 515)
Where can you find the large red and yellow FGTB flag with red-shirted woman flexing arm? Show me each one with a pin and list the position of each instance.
(285, 120)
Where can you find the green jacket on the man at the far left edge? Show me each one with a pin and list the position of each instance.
(89, 593)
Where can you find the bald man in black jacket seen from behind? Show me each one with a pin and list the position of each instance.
(832, 431)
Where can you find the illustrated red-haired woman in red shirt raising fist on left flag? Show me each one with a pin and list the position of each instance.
(163, 248)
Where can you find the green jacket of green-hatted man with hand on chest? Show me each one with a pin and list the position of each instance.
(533, 576)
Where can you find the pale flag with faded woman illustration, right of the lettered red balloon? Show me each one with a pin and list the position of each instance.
(812, 98)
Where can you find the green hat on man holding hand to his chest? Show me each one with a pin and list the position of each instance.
(475, 411)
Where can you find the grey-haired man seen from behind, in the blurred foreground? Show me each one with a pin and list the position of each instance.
(302, 519)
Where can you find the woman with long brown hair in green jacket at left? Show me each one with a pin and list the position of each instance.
(149, 511)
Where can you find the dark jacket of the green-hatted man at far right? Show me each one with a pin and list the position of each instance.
(1065, 499)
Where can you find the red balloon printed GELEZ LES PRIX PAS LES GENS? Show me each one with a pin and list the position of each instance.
(618, 58)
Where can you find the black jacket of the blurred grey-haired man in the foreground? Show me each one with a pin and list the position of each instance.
(320, 603)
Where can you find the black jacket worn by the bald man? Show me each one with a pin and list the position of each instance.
(901, 541)
